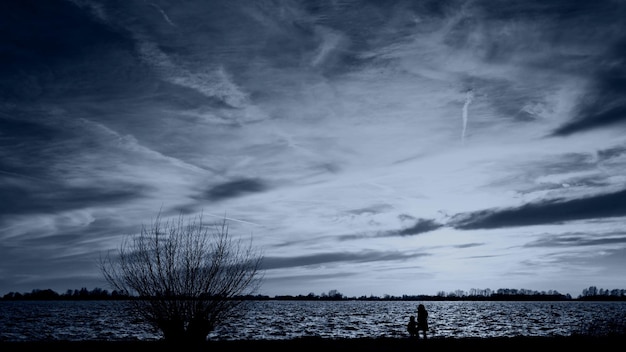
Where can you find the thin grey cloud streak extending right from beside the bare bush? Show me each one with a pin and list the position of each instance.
(336, 257)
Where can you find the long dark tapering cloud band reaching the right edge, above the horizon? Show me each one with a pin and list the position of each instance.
(545, 212)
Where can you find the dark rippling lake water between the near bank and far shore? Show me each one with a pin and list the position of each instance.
(110, 320)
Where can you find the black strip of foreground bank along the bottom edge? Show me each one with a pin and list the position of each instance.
(325, 345)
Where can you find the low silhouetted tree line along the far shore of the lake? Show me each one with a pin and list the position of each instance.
(504, 294)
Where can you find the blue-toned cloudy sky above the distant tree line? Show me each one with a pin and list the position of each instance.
(369, 147)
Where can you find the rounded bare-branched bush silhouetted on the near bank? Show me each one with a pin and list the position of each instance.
(185, 278)
